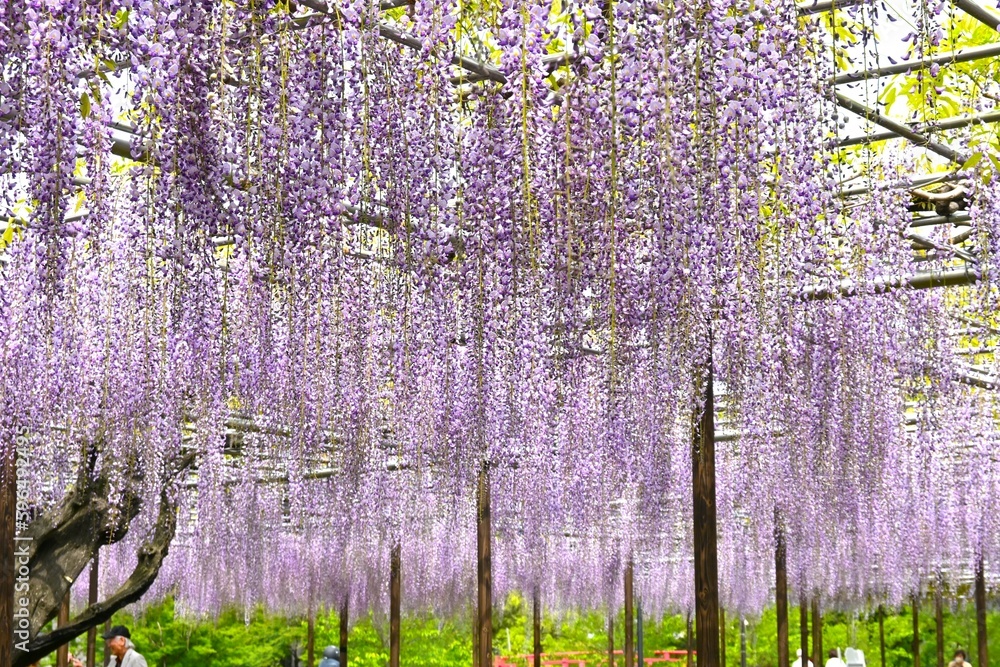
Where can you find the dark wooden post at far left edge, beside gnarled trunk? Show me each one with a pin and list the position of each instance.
(8, 546)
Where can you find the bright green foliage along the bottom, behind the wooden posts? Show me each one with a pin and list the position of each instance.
(264, 640)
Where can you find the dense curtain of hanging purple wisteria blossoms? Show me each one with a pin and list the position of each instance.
(346, 276)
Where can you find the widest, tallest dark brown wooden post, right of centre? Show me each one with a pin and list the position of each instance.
(706, 565)
